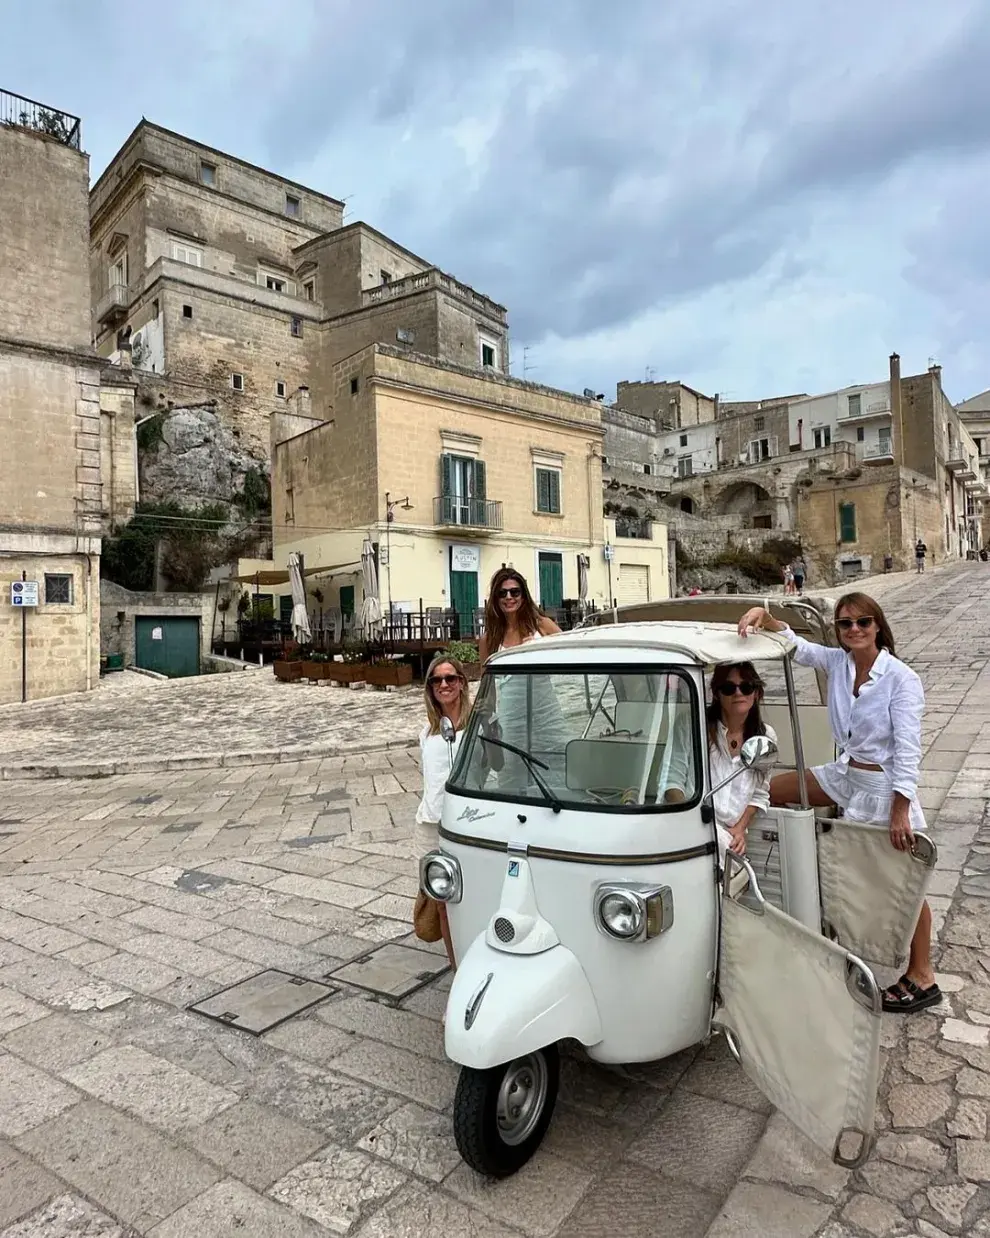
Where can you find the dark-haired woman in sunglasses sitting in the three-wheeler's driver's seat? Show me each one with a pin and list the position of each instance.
(733, 717)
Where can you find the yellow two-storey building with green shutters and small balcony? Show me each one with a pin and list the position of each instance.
(476, 470)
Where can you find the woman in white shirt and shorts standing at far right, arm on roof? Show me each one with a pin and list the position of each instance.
(876, 705)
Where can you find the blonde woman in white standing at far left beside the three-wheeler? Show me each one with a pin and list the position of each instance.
(447, 696)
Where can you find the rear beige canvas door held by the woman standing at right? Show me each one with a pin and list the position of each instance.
(872, 894)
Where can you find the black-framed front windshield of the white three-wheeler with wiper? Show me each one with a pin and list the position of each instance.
(613, 740)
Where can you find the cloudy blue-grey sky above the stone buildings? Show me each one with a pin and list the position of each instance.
(752, 196)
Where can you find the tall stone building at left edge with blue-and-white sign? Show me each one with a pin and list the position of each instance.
(51, 496)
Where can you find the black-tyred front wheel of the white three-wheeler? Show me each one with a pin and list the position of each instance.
(503, 1114)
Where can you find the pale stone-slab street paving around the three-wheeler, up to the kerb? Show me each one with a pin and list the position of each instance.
(126, 899)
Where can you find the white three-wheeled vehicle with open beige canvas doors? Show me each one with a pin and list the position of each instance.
(586, 901)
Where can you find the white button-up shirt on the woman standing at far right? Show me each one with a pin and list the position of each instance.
(883, 725)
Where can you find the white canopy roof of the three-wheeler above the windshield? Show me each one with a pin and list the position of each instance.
(704, 643)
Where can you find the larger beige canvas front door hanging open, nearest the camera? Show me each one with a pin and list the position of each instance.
(803, 1038)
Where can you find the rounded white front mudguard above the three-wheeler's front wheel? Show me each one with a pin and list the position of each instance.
(506, 1006)
